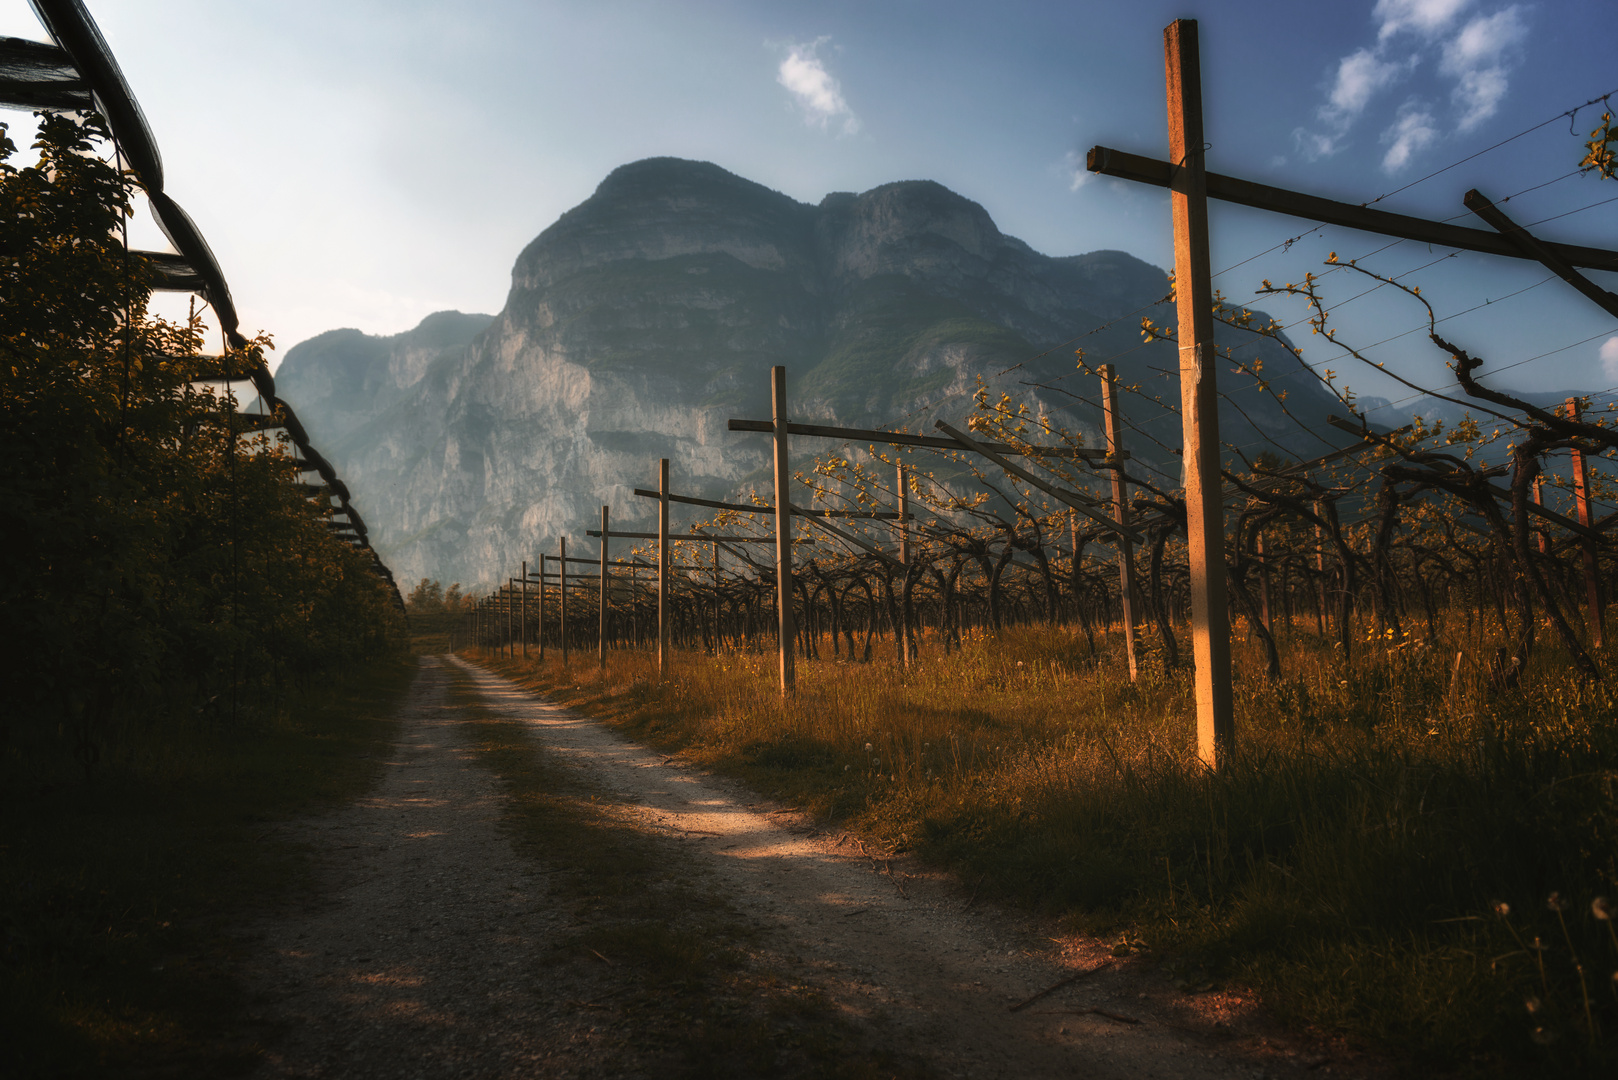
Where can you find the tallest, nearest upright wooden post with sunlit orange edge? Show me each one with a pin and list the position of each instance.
(1200, 396)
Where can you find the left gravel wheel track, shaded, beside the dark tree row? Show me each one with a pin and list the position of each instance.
(428, 955)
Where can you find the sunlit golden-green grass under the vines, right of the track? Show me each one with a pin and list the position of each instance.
(1397, 854)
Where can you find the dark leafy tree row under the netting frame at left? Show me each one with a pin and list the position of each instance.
(161, 569)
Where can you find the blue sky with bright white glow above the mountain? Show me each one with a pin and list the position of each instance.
(363, 164)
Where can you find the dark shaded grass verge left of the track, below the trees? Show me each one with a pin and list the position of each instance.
(122, 896)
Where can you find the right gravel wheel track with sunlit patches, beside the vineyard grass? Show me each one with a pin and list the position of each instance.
(973, 990)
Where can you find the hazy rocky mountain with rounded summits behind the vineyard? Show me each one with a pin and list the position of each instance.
(651, 313)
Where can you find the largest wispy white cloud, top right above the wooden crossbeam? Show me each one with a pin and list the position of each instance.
(1473, 53)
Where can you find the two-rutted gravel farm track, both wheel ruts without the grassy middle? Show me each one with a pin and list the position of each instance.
(428, 959)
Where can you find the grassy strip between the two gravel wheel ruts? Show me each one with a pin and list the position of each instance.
(693, 980)
